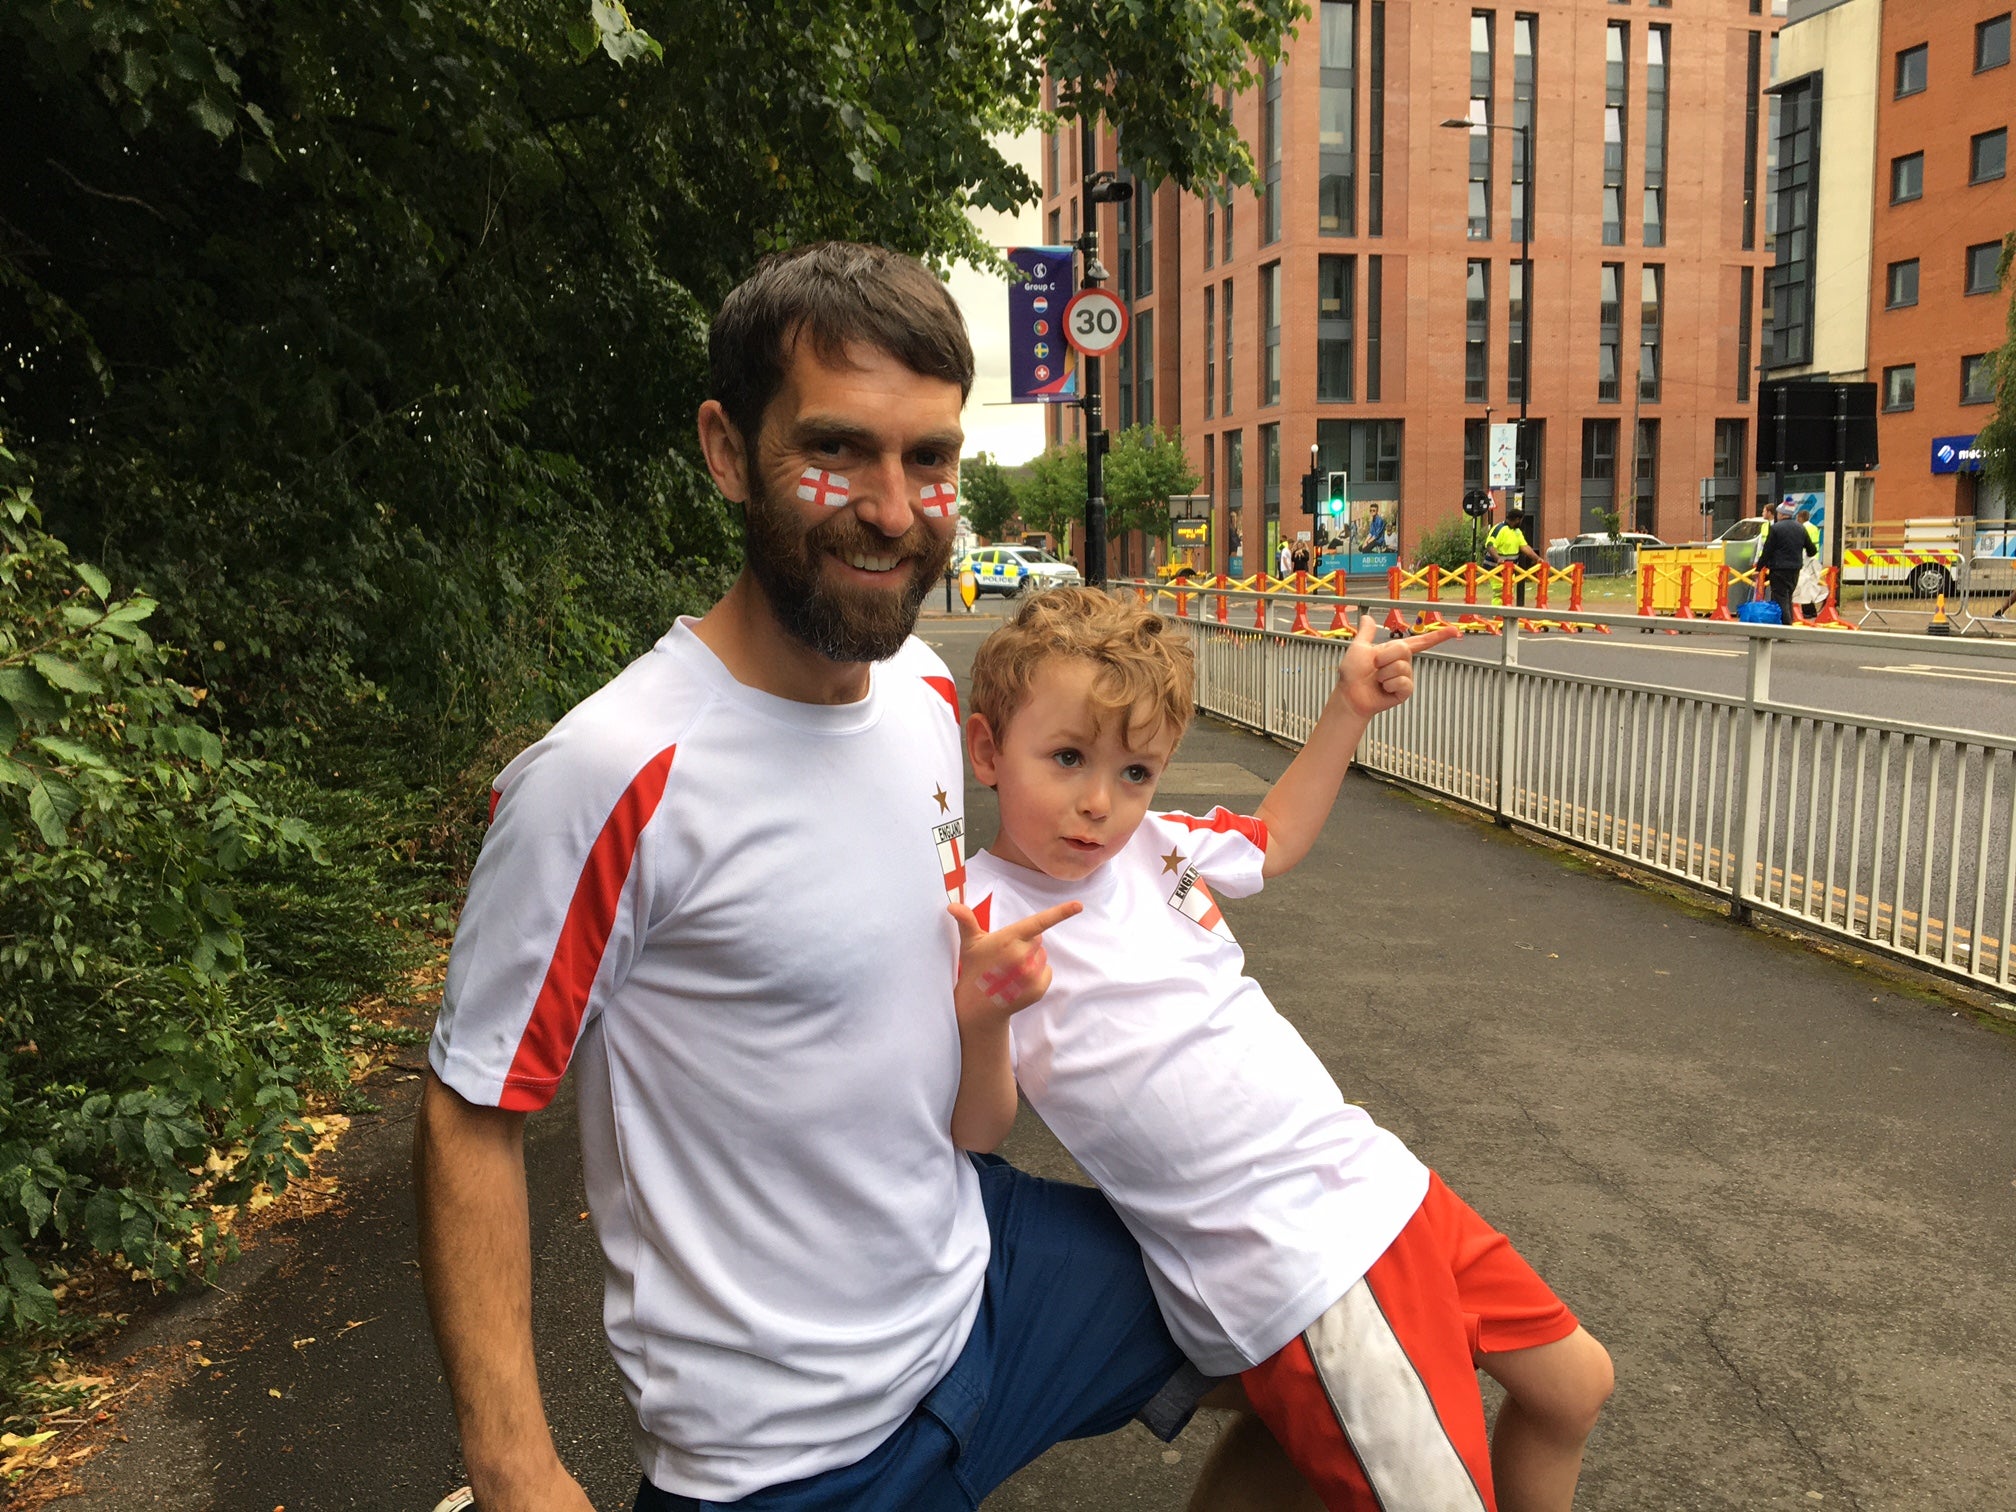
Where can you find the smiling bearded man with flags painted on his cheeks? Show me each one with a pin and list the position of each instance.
(719, 890)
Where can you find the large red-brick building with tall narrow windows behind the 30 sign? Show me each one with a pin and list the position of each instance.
(1372, 303)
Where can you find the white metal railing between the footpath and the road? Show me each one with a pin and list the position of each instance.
(1888, 834)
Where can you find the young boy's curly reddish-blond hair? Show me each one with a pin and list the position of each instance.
(1146, 666)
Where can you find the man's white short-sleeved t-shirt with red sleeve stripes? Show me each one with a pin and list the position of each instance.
(729, 914)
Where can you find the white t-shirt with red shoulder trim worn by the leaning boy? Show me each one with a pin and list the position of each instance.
(1257, 1192)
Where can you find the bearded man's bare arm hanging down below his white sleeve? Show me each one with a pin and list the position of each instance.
(477, 1267)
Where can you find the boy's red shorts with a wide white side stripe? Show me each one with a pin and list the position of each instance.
(1378, 1400)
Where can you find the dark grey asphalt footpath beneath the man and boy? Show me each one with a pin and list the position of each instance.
(1783, 1192)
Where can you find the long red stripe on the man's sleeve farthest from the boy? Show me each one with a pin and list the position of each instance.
(549, 1039)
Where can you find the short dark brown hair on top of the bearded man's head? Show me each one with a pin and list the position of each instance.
(832, 295)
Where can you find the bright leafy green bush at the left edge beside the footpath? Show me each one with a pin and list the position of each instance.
(144, 1078)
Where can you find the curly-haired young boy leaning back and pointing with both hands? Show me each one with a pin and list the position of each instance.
(1289, 1239)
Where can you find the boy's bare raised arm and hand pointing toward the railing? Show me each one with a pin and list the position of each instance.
(1374, 678)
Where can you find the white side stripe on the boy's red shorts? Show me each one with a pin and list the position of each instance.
(1386, 1412)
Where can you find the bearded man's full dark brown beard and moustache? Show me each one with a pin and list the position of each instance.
(838, 624)
